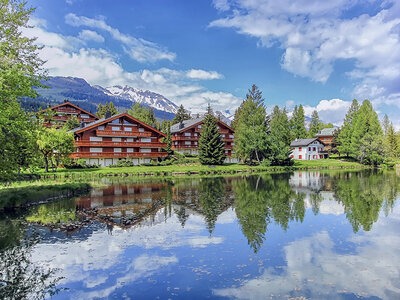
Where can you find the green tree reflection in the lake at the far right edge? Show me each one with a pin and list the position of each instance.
(364, 194)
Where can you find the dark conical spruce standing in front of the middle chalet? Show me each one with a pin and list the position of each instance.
(211, 146)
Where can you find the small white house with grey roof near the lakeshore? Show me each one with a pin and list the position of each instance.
(308, 149)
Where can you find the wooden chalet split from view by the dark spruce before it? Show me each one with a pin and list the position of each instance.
(186, 134)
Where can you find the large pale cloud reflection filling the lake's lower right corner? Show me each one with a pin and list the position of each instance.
(315, 270)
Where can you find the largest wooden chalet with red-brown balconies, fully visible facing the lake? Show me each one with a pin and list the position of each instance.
(108, 140)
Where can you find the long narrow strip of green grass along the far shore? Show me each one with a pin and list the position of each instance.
(196, 168)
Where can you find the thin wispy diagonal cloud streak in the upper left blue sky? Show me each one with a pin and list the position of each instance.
(138, 48)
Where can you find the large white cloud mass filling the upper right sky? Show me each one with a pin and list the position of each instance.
(315, 34)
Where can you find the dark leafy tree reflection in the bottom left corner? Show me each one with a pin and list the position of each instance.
(20, 278)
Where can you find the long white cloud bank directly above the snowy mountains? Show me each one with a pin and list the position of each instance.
(69, 56)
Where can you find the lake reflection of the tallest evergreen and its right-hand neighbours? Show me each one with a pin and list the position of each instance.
(261, 199)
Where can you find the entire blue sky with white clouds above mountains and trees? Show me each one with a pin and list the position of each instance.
(321, 54)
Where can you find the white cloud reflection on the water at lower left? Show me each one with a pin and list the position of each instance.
(80, 260)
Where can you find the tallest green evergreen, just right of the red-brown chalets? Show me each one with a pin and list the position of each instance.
(252, 140)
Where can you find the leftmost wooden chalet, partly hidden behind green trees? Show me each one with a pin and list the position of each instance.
(59, 114)
